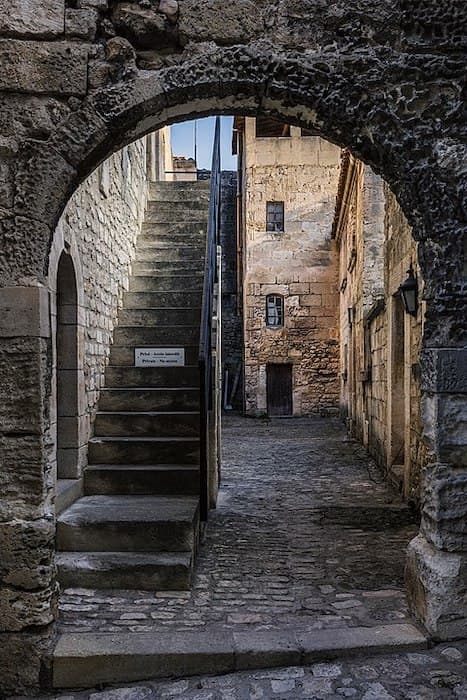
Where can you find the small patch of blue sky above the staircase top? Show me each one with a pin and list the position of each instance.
(183, 141)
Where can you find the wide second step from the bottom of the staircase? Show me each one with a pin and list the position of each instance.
(129, 524)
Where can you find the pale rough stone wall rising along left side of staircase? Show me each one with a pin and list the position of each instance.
(99, 226)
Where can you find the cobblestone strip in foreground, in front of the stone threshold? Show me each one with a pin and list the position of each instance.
(432, 675)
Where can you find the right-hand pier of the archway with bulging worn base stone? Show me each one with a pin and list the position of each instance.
(436, 571)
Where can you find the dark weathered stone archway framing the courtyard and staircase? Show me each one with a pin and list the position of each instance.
(390, 98)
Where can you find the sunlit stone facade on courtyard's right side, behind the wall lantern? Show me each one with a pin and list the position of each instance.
(380, 342)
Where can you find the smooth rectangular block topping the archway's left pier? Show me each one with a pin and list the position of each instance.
(24, 312)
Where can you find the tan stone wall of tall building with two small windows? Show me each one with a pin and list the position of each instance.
(298, 263)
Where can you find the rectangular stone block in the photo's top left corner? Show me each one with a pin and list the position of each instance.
(31, 18)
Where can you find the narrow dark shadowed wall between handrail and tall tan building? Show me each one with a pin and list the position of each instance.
(232, 325)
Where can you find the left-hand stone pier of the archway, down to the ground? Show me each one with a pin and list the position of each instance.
(27, 529)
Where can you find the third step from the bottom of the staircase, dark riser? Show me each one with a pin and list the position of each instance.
(146, 479)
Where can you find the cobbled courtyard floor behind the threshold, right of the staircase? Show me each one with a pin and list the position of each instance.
(306, 536)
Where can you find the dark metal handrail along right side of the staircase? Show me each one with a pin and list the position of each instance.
(206, 333)
